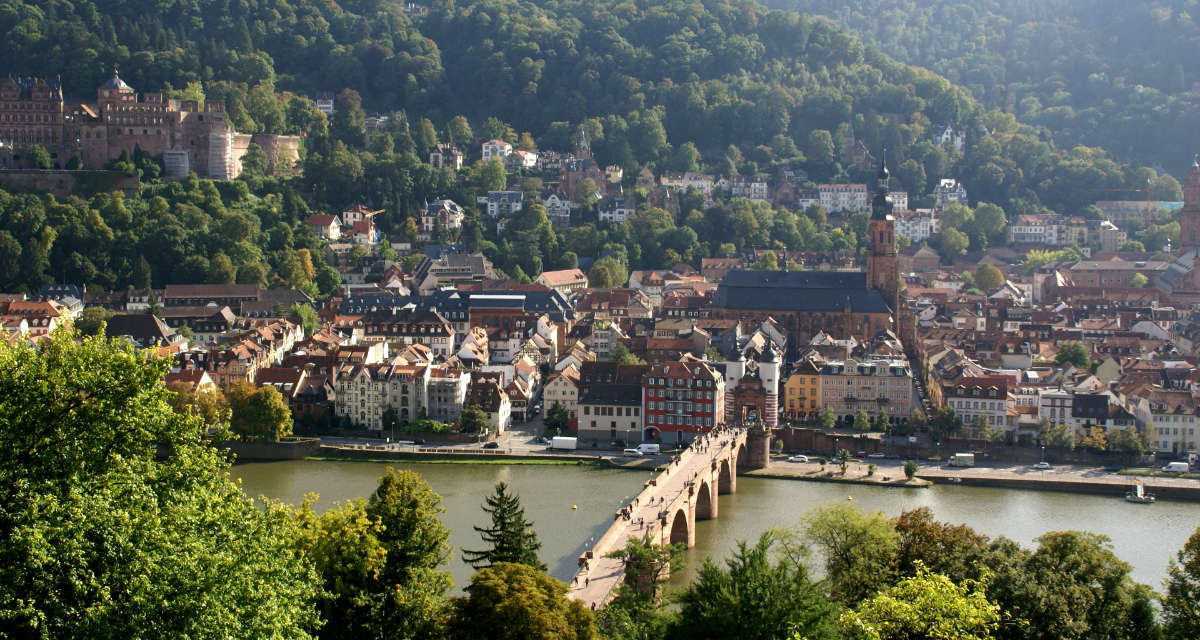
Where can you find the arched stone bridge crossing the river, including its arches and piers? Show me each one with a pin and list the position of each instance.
(665, 511)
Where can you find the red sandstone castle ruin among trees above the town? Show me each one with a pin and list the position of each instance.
(190, 140)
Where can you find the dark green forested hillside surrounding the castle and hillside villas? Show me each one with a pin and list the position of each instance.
(722, 86)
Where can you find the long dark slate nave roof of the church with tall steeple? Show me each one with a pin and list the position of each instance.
(799, 291)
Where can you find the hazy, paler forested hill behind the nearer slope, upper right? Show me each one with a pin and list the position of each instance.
(1111, 74)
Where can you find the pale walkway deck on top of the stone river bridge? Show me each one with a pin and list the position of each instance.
(598, 578)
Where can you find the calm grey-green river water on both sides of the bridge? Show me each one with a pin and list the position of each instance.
(1144, 536)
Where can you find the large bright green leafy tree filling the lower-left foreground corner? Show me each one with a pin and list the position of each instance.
(101, 537)
